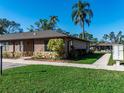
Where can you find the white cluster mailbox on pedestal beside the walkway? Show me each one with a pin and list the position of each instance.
(118, 53)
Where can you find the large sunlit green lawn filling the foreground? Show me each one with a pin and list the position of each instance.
(51, 79)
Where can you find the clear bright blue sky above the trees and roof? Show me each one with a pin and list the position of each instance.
(108, 14)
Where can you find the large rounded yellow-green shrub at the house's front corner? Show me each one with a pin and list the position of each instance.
(56, 45)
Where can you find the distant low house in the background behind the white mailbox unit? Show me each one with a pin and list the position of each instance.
(102, 47)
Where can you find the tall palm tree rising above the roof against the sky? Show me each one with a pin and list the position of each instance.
(82, 14)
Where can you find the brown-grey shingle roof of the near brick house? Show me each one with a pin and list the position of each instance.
(34, 35)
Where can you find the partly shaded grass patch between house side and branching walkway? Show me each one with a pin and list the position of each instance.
(88, 59)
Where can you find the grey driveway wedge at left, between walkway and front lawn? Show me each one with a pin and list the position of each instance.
(7, 65)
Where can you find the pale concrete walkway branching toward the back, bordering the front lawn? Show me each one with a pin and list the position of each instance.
(99, 64)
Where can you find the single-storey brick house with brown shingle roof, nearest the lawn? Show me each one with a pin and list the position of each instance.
(29, 42)
